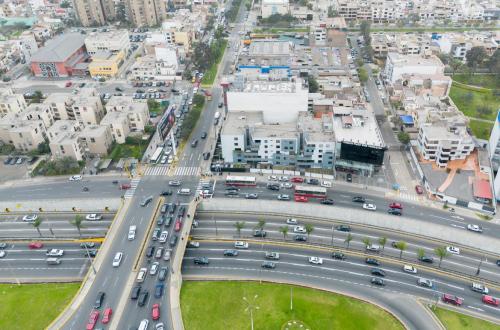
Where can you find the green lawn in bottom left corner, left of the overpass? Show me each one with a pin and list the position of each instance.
(33, 306)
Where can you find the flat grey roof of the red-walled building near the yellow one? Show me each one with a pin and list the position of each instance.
(60, 48)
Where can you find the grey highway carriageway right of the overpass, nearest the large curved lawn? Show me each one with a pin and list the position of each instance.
(351, 275)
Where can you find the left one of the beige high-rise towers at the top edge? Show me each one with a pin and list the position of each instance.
(94, 12)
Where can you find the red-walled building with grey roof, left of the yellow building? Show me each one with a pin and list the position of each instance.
(60, 56)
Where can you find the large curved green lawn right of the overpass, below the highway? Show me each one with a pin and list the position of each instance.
(220, 305)
